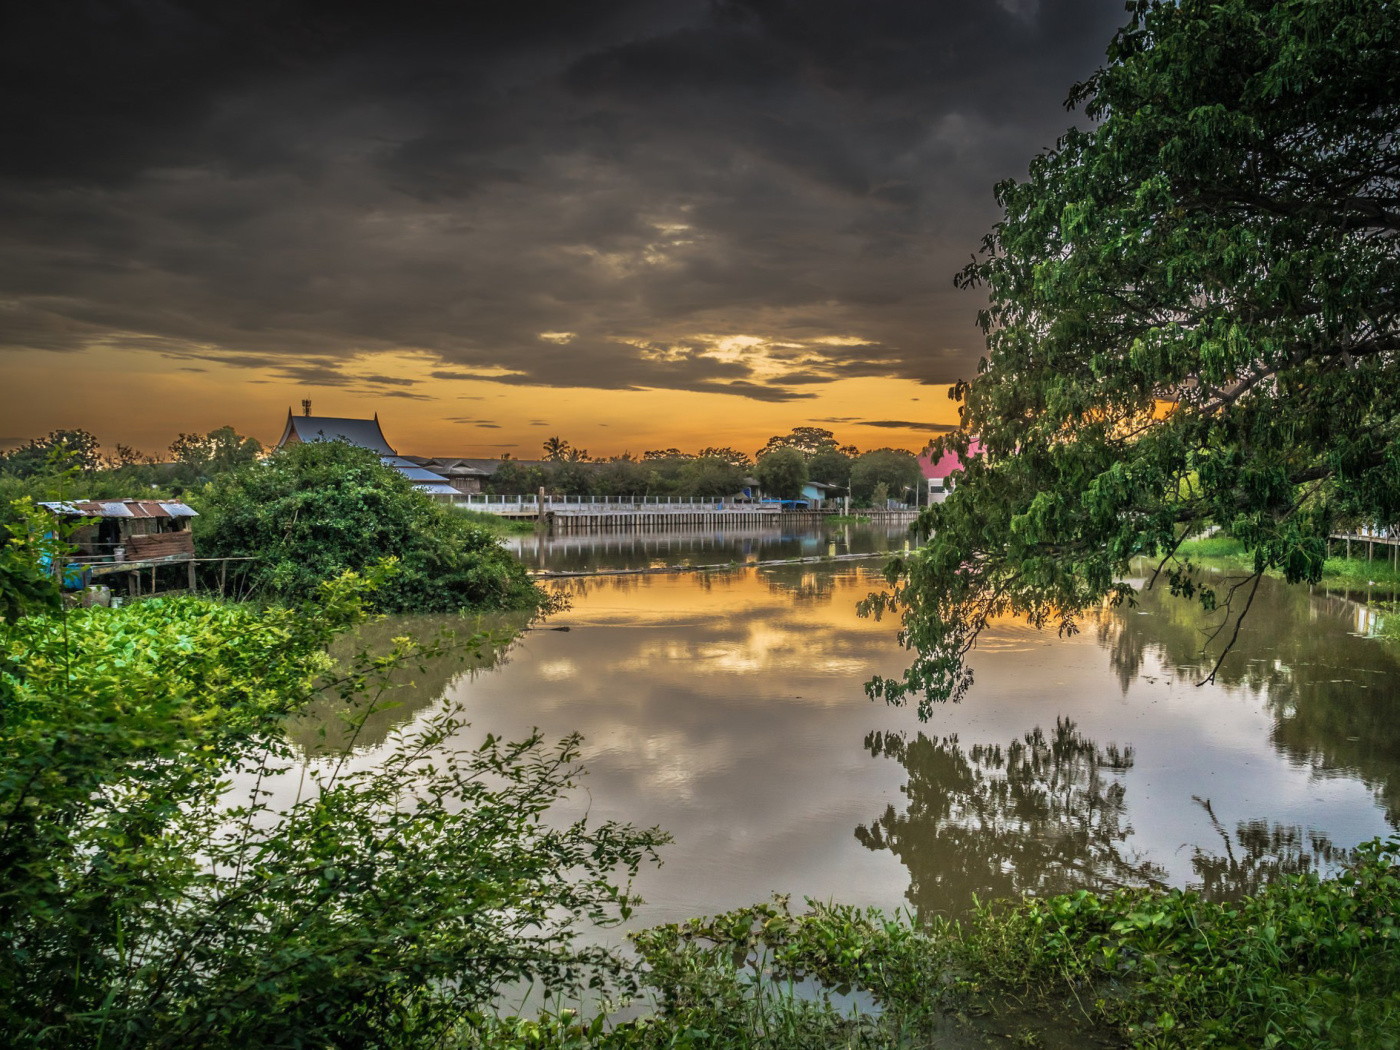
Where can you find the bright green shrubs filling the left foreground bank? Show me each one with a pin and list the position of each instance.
(143, 905)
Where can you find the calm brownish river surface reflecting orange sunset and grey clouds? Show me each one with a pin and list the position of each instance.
(729, 709)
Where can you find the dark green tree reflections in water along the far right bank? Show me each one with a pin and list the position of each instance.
(1333, 695)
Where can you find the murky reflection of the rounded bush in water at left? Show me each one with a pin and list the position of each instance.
(323, 726)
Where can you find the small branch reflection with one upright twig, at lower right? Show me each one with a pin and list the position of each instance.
(1266, 852)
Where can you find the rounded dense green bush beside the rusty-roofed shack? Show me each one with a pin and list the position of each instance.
(316, 510)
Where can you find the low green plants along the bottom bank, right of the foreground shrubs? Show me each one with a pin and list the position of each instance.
(1307, 964)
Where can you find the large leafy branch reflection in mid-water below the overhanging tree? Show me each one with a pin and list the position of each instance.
(1042, 815)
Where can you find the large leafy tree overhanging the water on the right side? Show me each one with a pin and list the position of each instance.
(1192, 323)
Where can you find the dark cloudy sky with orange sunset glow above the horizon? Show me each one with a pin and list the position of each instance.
(629, 223)
